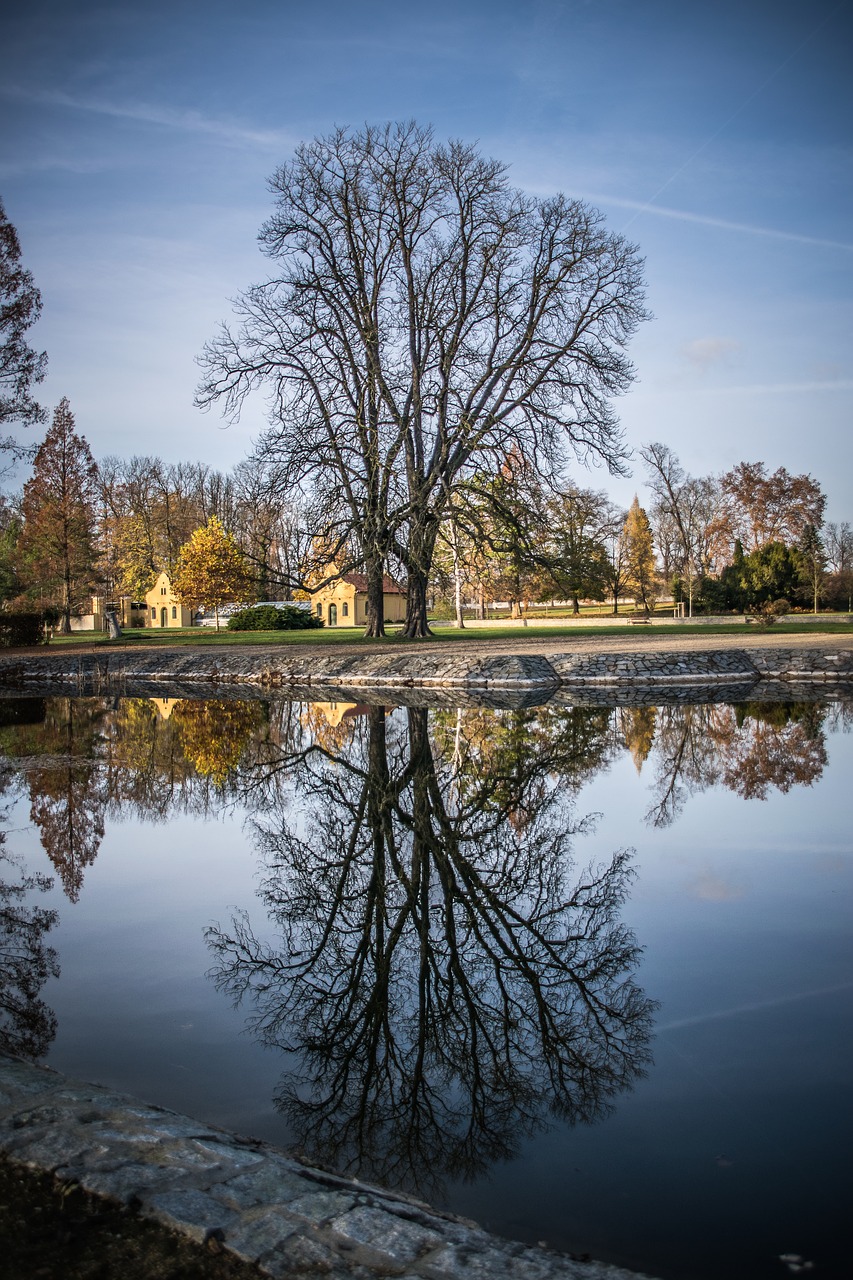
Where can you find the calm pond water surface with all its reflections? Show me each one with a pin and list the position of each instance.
(583, 975)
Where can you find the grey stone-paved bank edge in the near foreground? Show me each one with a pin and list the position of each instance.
(293, 1220)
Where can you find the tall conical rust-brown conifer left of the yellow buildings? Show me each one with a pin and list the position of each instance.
(58, 510)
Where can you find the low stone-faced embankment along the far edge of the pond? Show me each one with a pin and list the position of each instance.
(500, 678)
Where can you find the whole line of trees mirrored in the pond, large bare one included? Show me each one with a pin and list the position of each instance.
(444, 972)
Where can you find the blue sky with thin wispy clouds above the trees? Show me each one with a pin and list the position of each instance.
(138, 141)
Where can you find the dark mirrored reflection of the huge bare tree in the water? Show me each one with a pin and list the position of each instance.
(444, 980)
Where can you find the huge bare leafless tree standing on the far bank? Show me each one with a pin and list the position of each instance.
(426, 314)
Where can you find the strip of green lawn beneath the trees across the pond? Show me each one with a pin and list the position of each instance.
(825, 625)
